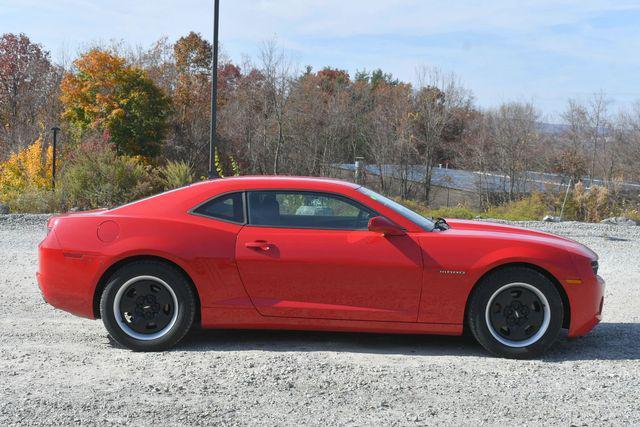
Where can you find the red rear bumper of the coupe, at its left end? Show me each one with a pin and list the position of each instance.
(67, 280)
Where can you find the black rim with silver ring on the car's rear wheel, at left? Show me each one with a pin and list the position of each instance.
(146, 307)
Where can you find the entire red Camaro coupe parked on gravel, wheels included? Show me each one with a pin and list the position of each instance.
(316, 254)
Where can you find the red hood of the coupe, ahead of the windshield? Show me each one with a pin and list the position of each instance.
(521, 234)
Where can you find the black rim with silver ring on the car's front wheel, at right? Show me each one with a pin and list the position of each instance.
(516, 314)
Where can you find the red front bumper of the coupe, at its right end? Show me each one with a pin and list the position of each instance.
(586, 300)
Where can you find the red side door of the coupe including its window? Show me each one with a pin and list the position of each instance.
(310, 255)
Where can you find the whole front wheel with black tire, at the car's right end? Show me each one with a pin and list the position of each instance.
(524, 317)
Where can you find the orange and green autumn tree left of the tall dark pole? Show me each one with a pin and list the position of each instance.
(104, 93)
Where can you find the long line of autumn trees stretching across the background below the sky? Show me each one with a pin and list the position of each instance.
(154, 104)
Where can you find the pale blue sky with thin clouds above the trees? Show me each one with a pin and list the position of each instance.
(542, 51)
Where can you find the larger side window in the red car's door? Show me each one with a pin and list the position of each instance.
(303, 209)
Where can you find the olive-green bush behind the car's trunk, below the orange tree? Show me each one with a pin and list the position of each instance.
(97, 177)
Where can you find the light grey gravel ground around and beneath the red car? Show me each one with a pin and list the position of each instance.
(59, 369)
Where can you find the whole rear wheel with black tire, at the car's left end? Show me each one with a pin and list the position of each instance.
(148, 306)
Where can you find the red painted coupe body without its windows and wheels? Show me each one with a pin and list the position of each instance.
(254, 276)
